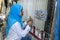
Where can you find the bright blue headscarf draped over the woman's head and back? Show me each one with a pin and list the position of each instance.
(13, 17)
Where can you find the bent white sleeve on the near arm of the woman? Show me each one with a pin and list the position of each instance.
(20, 32)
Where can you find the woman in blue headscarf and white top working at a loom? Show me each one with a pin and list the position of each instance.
(14, 29)
